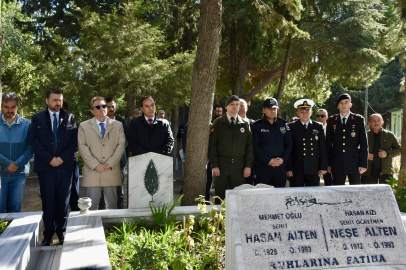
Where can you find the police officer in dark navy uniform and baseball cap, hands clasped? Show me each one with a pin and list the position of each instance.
(272, 146)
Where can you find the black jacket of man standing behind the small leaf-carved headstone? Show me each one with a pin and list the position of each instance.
(144, 139)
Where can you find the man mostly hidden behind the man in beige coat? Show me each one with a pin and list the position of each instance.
(111, 113)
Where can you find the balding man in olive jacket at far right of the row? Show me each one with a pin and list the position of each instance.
(383, 147)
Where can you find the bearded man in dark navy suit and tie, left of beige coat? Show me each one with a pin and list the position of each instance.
(54, 141)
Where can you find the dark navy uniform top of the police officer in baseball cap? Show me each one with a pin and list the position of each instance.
(271, 141)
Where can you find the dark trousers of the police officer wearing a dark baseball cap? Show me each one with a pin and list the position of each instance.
(274, 176)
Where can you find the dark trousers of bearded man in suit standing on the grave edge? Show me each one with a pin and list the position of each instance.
(55, 190)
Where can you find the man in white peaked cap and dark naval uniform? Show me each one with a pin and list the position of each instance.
(308, 159)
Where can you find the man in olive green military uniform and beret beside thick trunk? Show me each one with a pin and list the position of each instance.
(230, 149)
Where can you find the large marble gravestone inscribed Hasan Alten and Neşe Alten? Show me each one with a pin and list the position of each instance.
(342, 227)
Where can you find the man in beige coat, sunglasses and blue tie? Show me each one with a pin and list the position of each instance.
(101, 143)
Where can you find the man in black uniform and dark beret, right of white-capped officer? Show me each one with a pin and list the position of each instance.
(347, 144)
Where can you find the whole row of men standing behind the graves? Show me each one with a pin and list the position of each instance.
(241, 150)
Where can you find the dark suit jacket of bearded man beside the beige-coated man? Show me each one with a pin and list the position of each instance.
(42, 141)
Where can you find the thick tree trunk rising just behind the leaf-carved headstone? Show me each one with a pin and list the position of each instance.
(201, 100)
